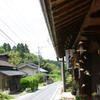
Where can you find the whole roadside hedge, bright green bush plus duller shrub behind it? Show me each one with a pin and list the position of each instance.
(32, 81)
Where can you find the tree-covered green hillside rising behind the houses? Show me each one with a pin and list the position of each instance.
(21, 53)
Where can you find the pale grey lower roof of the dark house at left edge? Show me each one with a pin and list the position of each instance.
(12, 72)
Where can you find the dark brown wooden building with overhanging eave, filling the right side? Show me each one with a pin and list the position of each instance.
(75, 24)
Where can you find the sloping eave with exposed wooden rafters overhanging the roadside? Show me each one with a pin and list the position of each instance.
(65, 18)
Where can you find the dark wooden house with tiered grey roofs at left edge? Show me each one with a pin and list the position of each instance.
(9, 77)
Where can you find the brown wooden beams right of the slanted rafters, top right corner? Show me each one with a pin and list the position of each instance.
(91, 26)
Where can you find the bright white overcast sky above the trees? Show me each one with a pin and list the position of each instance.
(23, 22)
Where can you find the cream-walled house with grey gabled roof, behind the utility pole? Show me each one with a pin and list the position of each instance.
(30, 68)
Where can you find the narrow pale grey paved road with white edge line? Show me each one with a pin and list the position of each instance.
(46, 93)
